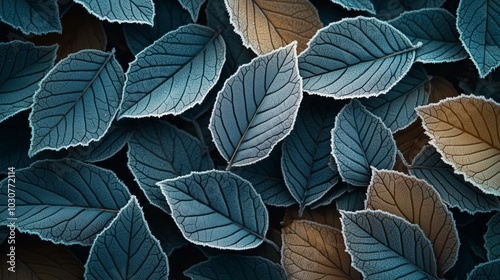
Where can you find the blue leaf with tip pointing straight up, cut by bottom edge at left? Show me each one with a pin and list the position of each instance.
(127, 249)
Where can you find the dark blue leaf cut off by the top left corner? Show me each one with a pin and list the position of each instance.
(31, 16)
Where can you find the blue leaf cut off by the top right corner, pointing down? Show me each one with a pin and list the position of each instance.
(478, 22)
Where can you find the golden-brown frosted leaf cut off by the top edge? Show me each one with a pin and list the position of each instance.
(265, 26)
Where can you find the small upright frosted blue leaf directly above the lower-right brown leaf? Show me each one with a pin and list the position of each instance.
(361, 140)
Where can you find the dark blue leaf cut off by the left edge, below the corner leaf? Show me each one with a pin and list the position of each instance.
(22, 66)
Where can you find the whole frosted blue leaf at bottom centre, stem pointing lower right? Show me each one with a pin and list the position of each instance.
(217, 209)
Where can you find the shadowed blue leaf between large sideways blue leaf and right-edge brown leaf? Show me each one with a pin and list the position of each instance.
(397, 107)
